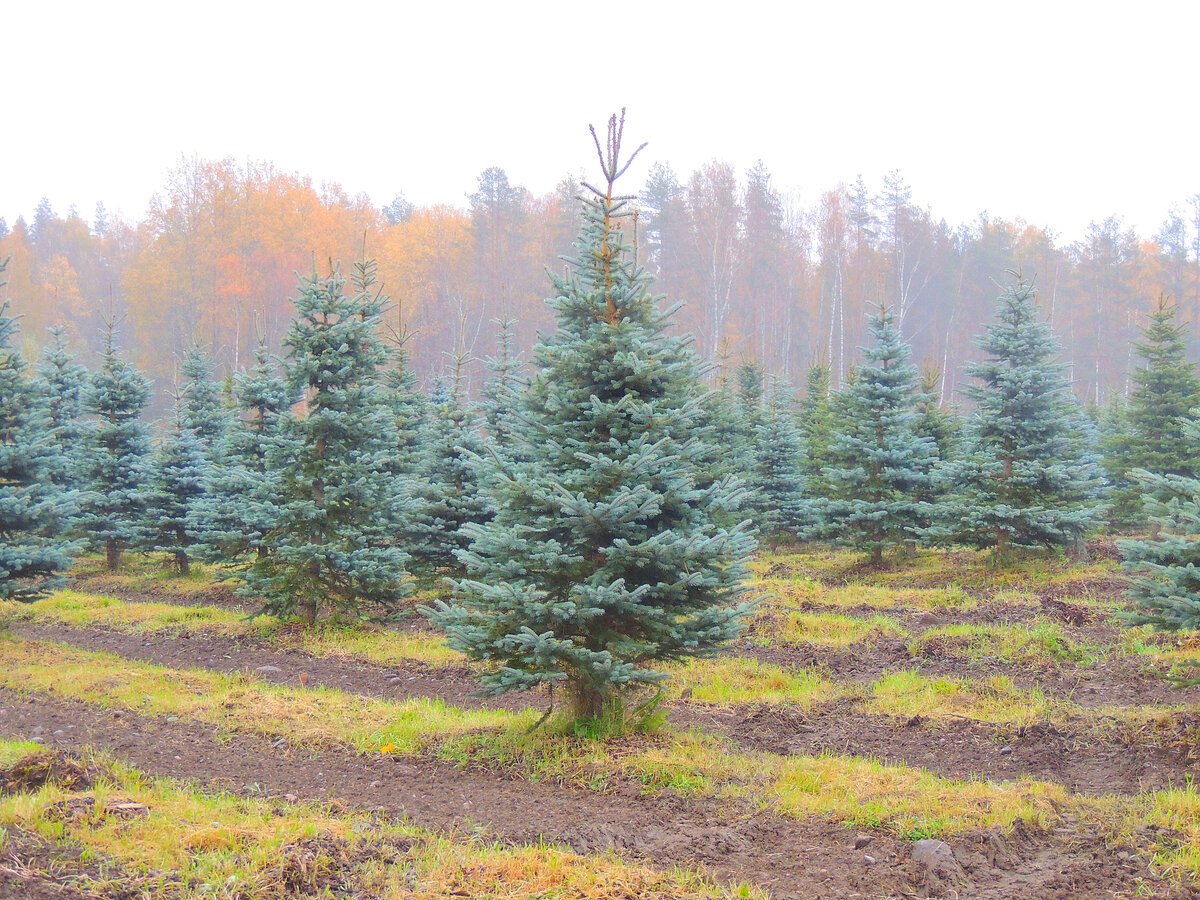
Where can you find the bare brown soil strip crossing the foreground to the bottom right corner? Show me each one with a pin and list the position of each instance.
(790, 859)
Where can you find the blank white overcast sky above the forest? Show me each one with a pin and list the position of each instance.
(1058, 112)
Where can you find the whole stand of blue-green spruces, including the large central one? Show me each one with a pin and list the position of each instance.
(596, 512)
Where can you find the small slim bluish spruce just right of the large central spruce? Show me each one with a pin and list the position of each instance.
(778, 477)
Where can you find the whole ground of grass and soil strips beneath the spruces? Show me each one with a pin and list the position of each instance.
(937, 729)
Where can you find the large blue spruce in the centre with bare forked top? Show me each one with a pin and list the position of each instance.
(604, 557)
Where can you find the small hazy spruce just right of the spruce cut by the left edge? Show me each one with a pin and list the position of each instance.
(62, 382)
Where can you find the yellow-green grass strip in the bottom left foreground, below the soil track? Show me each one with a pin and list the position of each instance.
(163, 838)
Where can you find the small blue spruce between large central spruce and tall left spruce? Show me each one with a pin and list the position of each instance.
(449, 484)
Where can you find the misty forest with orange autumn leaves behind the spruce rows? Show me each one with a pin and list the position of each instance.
(215, 260)
